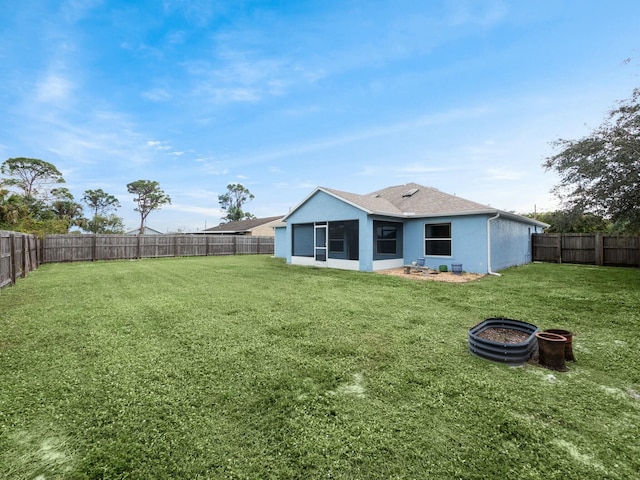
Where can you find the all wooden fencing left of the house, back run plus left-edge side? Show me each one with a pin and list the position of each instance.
(21, 253)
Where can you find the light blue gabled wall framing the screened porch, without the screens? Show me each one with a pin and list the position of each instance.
(322, 207)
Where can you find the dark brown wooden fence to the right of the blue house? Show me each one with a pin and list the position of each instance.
(588, 248)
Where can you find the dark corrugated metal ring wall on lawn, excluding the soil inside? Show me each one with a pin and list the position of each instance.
(509, 353)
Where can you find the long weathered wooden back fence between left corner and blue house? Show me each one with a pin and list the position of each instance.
(76, 248)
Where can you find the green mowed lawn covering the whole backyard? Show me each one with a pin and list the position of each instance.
(244, 367)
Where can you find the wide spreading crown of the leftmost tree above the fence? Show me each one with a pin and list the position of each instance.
(31, 176)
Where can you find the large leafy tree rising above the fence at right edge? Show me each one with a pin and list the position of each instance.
(600, 173)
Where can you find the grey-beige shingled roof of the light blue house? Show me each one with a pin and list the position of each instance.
(413, 200)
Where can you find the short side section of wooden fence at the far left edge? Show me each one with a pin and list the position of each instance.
(18, 256)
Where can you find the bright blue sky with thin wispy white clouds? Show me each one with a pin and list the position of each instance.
(283, 96)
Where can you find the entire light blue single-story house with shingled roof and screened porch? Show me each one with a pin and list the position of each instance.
(395, 226)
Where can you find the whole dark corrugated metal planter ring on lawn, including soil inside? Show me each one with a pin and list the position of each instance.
(503, 340)
